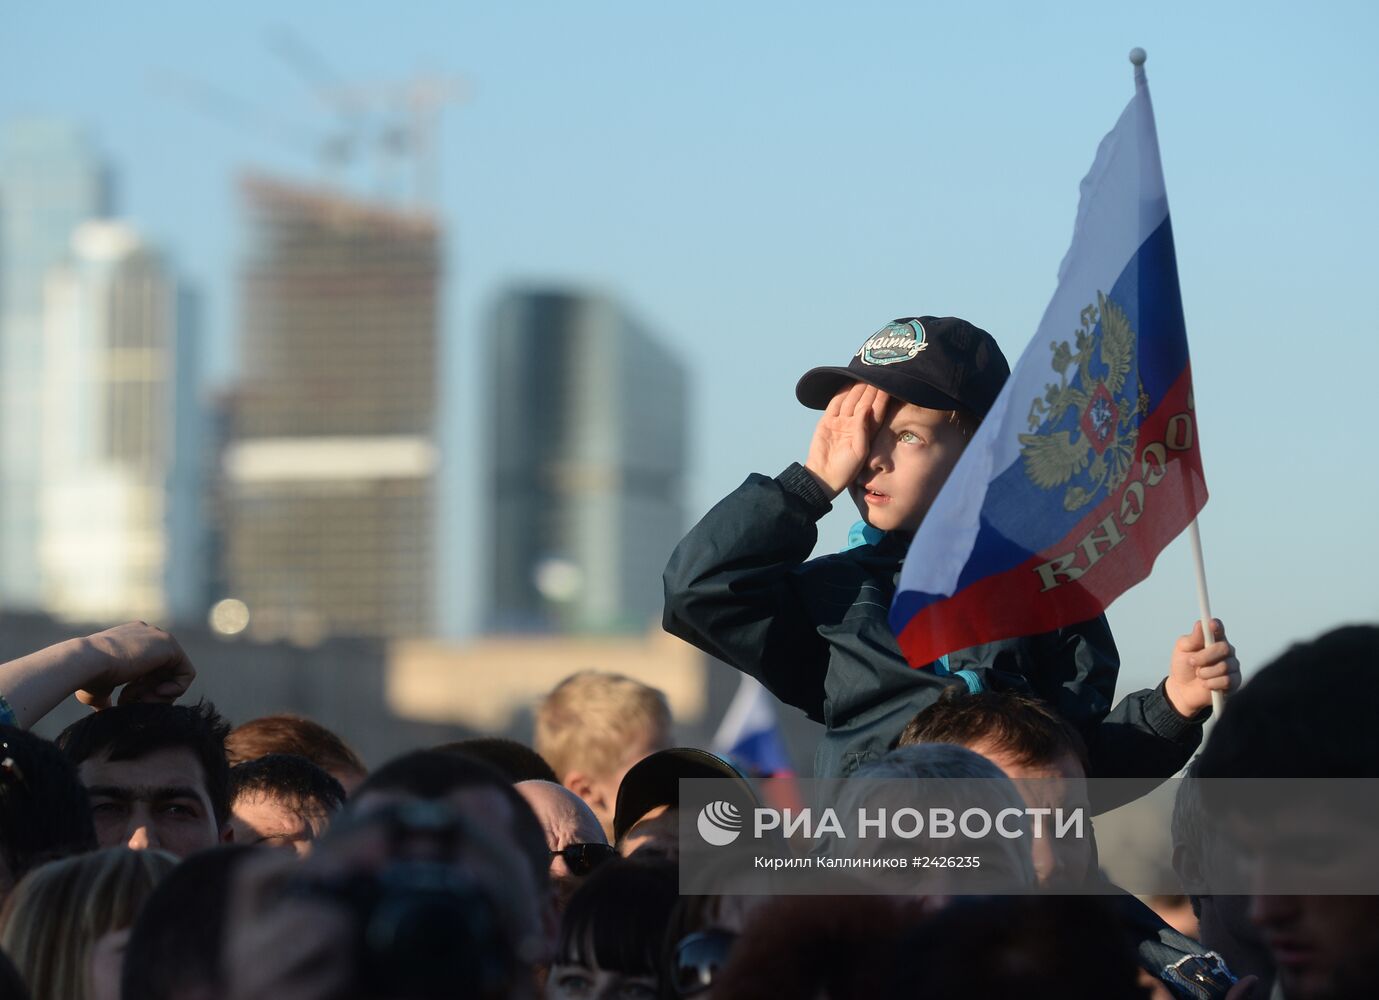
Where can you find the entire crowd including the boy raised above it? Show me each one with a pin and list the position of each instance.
(158, 852)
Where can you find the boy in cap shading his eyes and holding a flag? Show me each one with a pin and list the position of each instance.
(816, 634)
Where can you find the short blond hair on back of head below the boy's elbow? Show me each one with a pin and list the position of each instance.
(592, 719)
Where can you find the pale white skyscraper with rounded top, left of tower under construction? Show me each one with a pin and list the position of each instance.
(121, 488)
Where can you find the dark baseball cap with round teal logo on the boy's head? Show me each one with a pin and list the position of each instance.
(938, 362)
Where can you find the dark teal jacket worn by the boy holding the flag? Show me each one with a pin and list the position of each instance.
(816, 634)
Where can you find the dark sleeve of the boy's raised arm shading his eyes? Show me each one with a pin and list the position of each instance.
(733, 587)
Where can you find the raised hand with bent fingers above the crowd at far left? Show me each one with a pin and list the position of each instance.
(143, 657)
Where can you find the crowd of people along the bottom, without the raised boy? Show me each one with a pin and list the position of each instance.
(155, 852)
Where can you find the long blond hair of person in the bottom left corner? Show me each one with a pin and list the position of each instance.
(59, 911)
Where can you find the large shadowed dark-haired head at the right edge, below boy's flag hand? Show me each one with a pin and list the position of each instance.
(1282, 725)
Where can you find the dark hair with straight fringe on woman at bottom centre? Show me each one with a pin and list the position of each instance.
(620, 914)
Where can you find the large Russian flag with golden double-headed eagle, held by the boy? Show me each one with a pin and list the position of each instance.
(1089, 463)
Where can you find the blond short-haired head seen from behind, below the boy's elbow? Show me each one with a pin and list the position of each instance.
(594, 728)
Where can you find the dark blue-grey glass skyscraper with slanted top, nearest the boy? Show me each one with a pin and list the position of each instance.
(588, 457)
